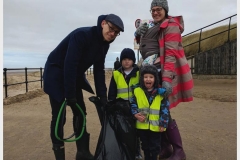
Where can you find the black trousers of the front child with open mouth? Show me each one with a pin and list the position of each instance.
(151, 141)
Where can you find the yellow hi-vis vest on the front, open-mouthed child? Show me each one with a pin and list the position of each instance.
(153, 111)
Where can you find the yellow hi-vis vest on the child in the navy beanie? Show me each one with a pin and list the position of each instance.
(124, 91)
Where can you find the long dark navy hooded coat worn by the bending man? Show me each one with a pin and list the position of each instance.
(64, 71)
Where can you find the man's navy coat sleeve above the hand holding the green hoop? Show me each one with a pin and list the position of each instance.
(73, 55)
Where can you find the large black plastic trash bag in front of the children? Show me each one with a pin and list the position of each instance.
(117, 139)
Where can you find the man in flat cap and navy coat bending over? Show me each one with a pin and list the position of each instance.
(64, 76)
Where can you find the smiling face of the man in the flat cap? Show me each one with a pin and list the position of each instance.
(109, 31)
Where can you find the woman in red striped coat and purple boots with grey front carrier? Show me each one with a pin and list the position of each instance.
(161, 44)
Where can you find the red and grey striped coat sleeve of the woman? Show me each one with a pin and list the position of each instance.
(172, 38)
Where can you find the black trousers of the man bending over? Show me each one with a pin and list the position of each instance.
(55, 105)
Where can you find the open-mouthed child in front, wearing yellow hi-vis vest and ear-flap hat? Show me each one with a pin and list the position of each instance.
(151, 111)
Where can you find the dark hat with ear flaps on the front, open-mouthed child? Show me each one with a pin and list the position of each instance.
(149, 69)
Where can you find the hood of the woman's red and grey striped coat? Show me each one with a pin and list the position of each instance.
(174, 19)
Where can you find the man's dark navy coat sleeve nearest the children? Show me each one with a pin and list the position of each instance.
(99, 76)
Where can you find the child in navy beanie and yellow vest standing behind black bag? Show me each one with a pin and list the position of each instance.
(124, 79)
